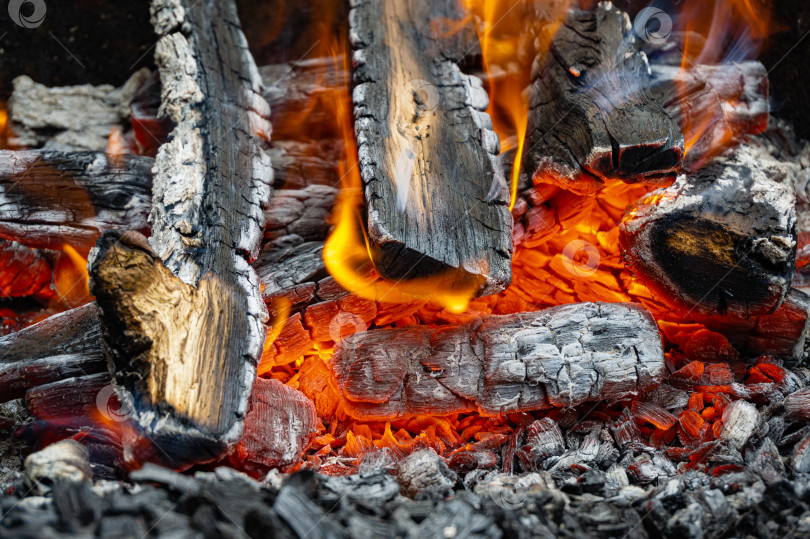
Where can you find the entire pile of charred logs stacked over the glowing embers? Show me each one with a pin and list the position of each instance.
(213, 230)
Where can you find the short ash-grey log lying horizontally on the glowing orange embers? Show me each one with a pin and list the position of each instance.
(561, 356)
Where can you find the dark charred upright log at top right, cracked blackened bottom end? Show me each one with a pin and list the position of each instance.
(591, 116)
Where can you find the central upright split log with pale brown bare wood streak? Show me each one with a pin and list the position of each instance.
(435, 194)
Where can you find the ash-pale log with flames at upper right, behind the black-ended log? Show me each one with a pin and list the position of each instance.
(715, 105)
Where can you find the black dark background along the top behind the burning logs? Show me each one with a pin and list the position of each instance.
(110, 39)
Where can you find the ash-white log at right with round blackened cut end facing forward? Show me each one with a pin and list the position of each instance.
(721, 240)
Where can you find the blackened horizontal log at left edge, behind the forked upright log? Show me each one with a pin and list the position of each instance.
(51, 198)
